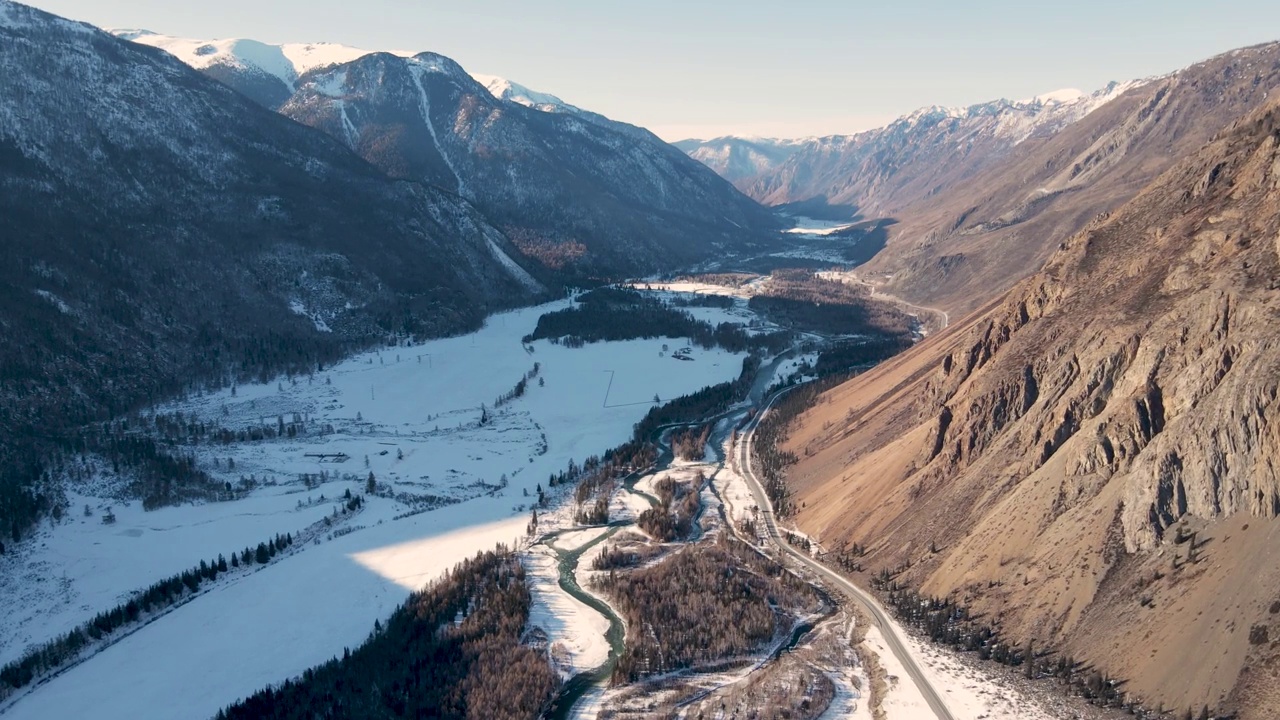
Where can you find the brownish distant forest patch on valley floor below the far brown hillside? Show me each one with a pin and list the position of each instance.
(802, 300)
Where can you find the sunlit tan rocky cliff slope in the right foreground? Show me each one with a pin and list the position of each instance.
(1062, 446)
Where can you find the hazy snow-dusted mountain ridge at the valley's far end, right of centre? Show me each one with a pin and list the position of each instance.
(885, 168)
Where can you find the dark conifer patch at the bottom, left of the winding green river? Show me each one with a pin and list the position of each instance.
(452, 651)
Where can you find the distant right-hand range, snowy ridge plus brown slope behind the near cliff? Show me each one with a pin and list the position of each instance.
(982, 195)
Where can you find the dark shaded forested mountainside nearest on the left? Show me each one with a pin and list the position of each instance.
(161, 229)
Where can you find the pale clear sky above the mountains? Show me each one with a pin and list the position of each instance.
(707, 69)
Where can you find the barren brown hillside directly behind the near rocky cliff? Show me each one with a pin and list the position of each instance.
(976, 234)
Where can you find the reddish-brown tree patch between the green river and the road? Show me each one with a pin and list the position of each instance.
(702, 605)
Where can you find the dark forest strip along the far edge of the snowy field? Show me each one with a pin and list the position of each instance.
(618, 315)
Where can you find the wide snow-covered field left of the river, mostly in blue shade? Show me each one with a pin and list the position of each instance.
(414, 413)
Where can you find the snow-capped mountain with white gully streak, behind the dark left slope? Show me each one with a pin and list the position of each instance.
(574, 190)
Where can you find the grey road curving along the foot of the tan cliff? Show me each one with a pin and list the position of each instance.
(874, 609)
